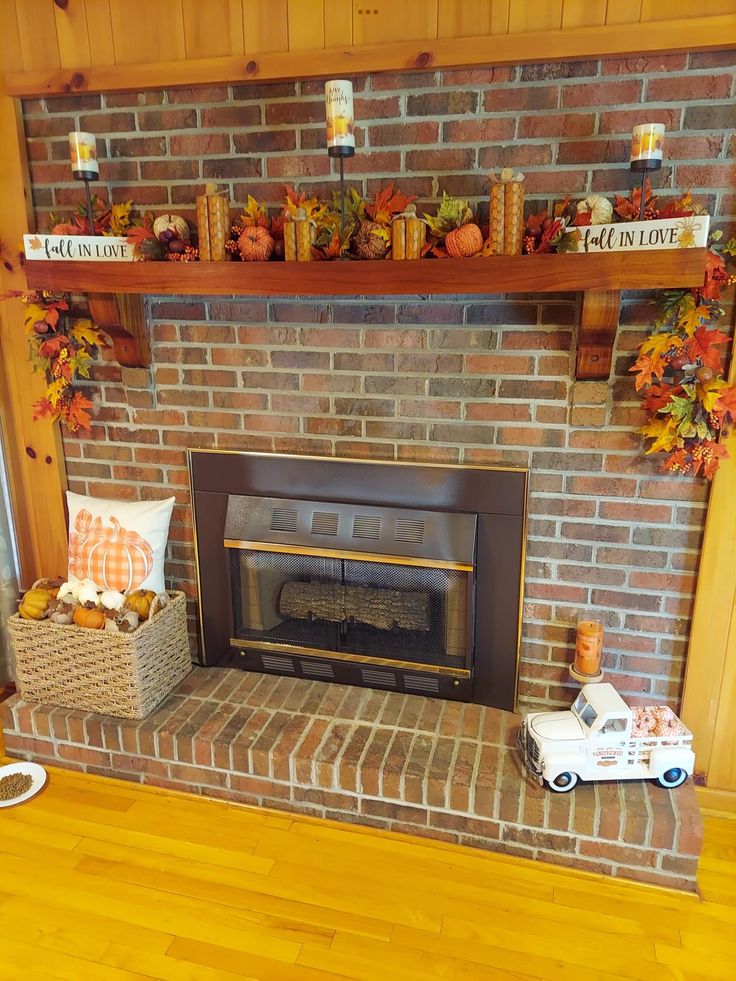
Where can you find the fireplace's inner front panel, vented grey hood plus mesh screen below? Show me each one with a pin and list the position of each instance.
(368, 584)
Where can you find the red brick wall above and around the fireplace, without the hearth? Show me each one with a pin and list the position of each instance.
(484, 380)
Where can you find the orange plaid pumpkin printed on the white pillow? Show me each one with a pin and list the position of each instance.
(112, 557)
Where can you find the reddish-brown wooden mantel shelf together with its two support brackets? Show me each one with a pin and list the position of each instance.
(600, 276)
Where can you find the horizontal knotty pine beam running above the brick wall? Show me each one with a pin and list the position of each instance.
(686, 34)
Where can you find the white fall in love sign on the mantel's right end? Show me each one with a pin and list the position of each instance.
(636, 236)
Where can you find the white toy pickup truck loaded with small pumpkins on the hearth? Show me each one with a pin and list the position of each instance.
(601, 738)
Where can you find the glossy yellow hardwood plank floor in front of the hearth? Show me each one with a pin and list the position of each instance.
(102, 879)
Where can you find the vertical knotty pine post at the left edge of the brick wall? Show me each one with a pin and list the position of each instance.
(33, 449)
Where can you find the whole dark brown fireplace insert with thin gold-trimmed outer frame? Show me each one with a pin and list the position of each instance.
(398, 580)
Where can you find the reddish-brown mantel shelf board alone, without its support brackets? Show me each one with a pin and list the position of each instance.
(498, 274)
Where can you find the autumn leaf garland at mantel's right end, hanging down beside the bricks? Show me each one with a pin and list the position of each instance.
(679, 368)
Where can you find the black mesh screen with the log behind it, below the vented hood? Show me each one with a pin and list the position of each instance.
(319, 604)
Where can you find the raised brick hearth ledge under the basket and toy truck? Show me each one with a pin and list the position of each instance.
(442, 769)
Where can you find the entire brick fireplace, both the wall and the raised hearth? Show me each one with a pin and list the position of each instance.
(472, 381)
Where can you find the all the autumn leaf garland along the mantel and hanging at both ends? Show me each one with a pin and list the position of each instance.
(679, 369)
